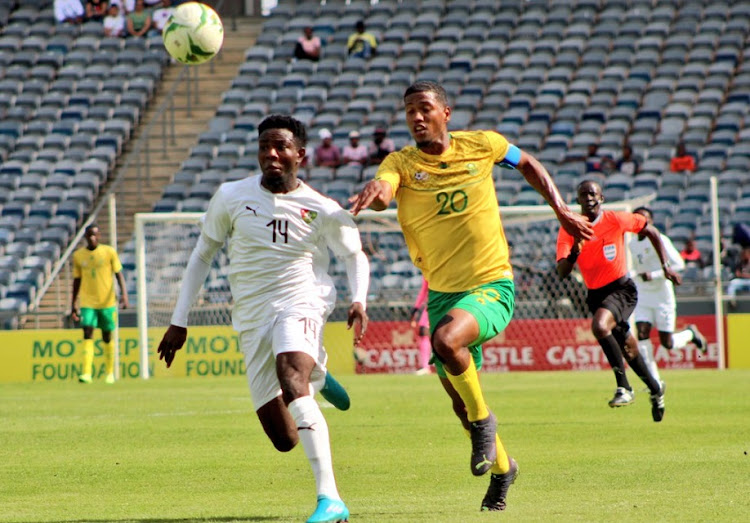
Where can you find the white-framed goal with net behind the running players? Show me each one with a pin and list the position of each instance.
(545, 306)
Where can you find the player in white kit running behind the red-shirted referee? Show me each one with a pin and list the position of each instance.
(656, 302)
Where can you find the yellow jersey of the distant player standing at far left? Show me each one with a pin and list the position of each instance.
(96, 269)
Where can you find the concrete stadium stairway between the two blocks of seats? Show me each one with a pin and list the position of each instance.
(130, 197)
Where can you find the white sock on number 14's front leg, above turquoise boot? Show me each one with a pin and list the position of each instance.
(313, 432)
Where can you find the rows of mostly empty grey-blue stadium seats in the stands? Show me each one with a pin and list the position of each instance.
(552, 76)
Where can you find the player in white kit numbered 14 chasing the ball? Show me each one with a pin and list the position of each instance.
(278, 232)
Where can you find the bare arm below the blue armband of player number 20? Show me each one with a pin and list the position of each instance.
(538, 177)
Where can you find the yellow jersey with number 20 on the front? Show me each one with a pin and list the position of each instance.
(448, 210)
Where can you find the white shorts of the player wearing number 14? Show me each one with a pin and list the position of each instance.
(297, 331)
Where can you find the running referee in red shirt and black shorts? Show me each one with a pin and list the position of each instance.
(612, 294)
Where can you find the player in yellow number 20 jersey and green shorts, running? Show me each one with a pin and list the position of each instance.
(448, 212)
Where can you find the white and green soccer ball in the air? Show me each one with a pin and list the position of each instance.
(193, 34)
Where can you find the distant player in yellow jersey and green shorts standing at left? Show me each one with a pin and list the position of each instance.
(93, 269)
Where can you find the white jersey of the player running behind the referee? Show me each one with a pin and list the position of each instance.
(646, 259)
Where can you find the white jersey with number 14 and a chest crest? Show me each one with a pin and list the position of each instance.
(278, 248)
